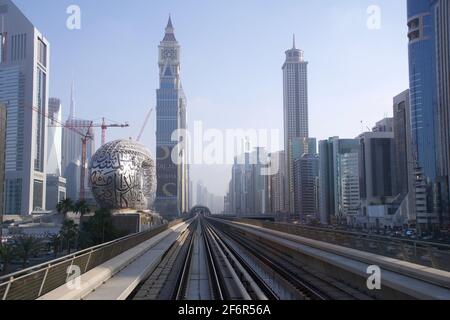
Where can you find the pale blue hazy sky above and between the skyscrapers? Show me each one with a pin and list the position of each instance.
(232, 54)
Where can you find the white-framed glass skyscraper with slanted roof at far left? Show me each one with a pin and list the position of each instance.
(24, 67)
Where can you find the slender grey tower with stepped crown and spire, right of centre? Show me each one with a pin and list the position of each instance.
(295, 85)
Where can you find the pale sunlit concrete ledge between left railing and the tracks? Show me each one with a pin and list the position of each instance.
(118, 277)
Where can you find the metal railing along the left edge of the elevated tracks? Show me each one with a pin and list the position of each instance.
(34, 282)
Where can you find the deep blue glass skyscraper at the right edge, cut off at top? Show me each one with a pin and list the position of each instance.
(429, 57)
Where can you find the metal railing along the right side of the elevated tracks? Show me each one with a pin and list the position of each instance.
(419, 252)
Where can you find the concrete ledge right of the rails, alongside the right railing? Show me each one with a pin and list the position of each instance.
(401, 279)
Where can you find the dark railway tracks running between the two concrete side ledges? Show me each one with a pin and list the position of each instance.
(210, 262)
